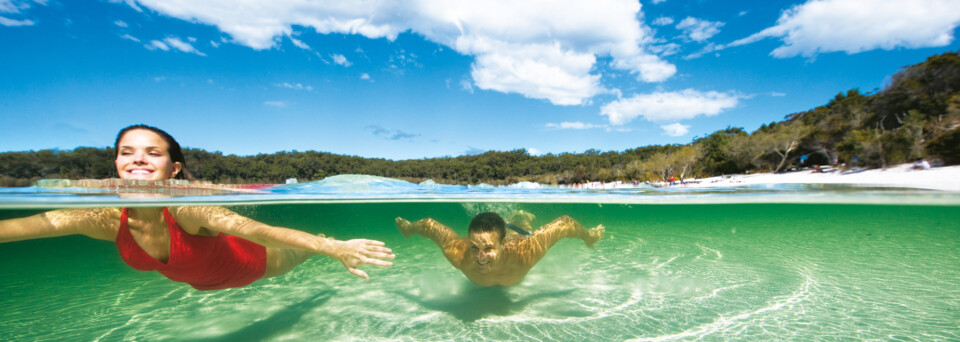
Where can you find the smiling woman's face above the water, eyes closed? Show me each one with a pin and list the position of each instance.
(143, 154)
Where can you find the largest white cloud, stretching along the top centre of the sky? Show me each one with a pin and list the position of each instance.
(543, 49)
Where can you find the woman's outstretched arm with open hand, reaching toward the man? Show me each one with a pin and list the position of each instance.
(351, 253)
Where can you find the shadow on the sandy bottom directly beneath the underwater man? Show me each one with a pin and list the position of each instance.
(480, 302)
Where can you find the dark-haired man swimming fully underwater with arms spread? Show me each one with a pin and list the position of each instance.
(496, 253)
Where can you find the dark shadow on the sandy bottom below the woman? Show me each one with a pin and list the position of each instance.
(279, 322)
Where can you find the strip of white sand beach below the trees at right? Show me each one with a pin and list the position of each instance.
(939, 178)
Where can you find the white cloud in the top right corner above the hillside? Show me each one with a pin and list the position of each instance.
(855, 26)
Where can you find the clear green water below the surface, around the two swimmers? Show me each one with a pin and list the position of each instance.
(803, 272)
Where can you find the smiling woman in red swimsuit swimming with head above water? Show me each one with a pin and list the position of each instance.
(209, 248)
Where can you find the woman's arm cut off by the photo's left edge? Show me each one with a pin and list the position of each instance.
(95, 223)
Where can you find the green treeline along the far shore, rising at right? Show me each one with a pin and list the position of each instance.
(916, 116)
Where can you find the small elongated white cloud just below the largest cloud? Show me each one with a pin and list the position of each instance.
(668, 106)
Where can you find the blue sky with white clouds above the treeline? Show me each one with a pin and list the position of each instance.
(426, 78)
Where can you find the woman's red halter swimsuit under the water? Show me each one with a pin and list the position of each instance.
(204, 262)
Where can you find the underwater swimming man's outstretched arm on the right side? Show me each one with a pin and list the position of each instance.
(533, 248)
